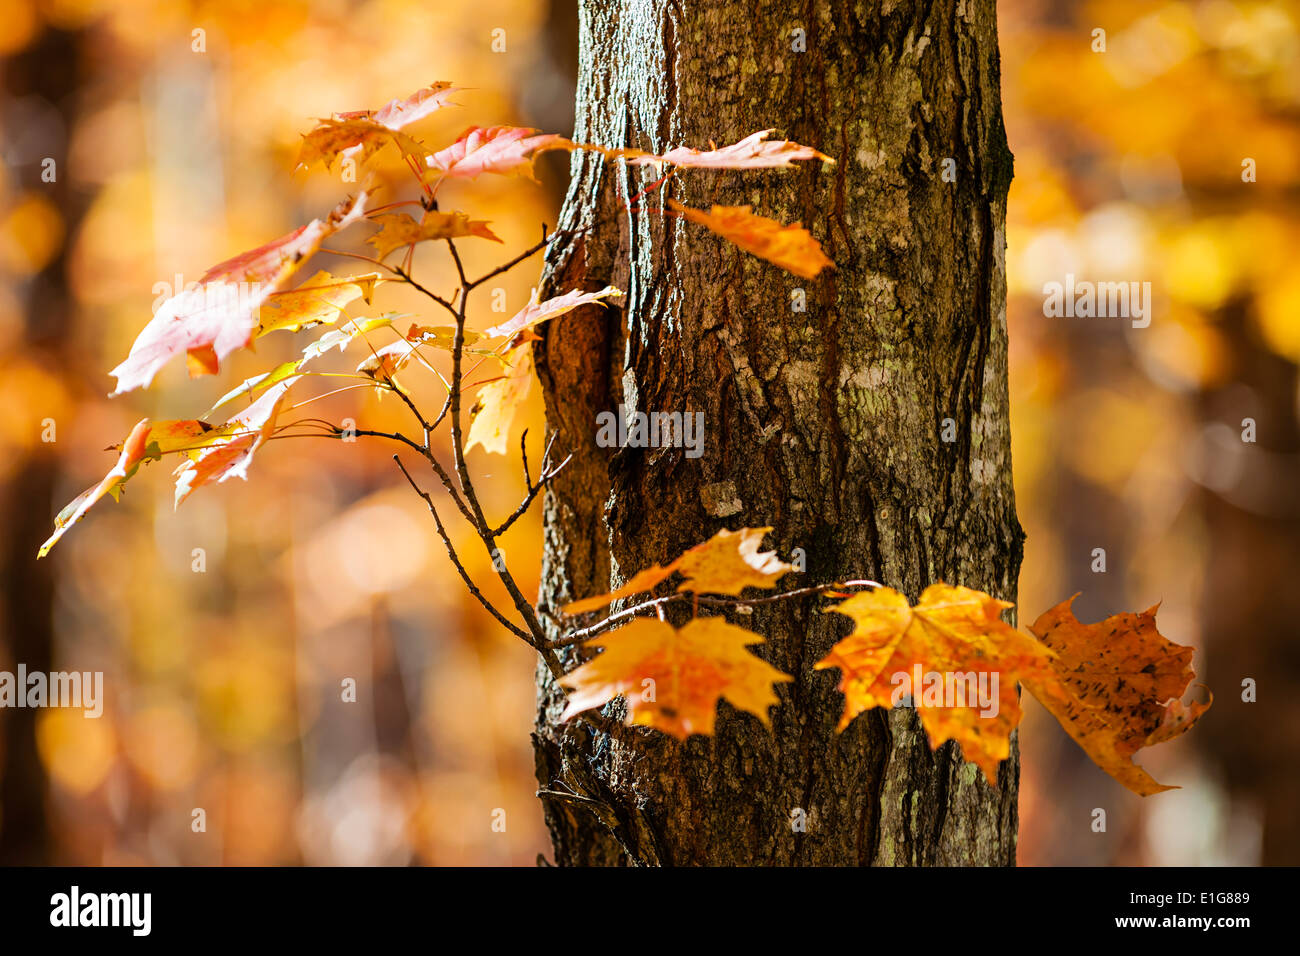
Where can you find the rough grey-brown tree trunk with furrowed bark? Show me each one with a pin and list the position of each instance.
(827, 425)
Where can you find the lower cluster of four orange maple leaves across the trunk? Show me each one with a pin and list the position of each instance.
(1116, 686)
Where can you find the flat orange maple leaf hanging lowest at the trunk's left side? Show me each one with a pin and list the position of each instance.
(674, 678)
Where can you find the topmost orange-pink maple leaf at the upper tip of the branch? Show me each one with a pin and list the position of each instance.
(361, 133)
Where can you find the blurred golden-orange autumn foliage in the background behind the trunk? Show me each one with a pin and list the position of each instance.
(224, 684)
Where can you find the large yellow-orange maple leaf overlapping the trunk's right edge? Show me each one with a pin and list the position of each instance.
(952, 631)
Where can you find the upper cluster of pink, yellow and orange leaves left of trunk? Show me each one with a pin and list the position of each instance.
(249, 297)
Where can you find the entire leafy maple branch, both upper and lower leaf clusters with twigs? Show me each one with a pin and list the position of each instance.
(1116, 686)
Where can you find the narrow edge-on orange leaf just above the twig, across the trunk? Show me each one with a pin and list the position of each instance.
(726, 564)
